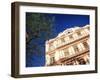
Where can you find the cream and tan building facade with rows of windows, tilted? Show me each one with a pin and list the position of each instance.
(70, 47)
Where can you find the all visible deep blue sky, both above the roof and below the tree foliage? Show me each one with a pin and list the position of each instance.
(62, 22)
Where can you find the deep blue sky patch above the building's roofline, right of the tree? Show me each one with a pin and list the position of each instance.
(63, 21)
